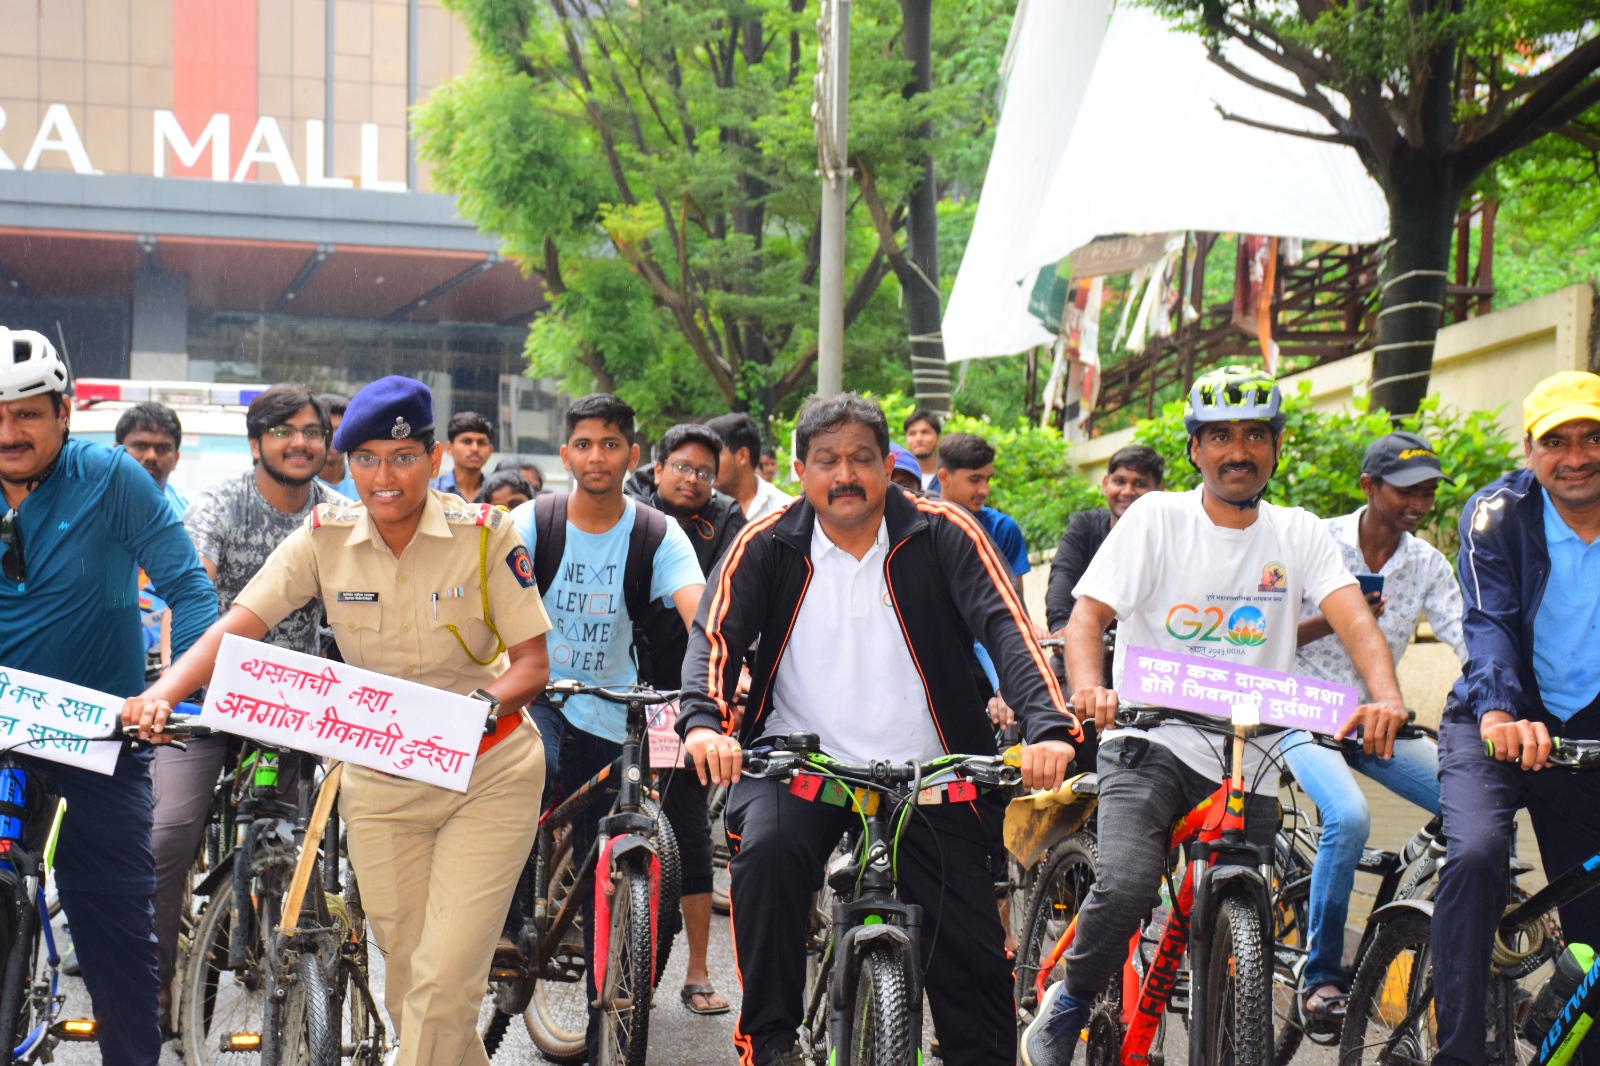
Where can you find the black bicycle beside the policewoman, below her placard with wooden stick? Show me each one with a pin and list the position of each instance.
(279, 974)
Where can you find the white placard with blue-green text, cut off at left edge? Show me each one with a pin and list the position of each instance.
(50, 719)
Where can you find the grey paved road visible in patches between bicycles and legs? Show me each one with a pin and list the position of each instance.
(682, 1040)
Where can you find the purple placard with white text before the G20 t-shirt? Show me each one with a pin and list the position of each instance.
(1246, 695)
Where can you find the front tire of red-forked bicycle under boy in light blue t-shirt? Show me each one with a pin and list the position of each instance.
(630, 974)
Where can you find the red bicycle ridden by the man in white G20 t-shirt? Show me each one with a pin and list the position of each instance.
(1218, 913)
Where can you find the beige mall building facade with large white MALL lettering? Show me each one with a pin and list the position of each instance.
(228, 191)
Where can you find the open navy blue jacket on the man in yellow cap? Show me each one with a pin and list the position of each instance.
(1503, 567)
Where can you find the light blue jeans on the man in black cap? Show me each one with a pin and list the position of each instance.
(1326, 777)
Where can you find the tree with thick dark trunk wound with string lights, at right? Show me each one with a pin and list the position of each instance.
(1431, 95)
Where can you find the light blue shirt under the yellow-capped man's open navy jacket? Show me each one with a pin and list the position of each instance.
(1569, 619)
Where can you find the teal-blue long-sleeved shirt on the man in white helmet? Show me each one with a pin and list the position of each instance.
(86, 534)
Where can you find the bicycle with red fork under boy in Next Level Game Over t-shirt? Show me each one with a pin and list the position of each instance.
(636, 920)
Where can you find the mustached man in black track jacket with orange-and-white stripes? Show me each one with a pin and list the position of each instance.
(866, 603)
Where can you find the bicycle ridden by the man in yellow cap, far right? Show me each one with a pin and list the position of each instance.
(1391, 1019)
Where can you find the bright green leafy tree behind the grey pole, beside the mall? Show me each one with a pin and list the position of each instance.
(652, 162)
